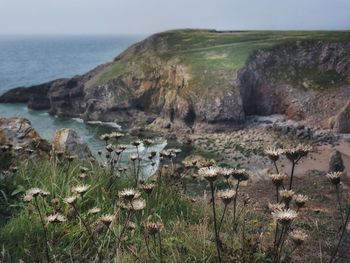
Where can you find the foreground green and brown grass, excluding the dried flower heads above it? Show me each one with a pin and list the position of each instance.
(184, 224)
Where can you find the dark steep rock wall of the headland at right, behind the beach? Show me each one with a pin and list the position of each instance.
(289, 80)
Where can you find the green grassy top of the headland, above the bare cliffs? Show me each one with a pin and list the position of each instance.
(209, 54)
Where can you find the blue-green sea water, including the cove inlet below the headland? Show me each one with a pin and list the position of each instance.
(30, 60)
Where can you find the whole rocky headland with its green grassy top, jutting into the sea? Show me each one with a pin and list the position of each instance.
(171, 79)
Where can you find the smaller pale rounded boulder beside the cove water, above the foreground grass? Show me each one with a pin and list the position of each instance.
(69, 142)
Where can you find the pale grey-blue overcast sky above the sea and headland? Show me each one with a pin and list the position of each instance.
(149, 16)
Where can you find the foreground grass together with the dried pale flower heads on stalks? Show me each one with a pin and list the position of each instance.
(59, 210)
